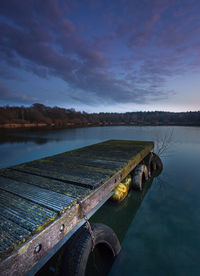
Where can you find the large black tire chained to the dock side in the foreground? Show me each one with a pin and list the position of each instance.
(80, 245)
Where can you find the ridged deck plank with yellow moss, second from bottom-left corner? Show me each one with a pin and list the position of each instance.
(25, 213)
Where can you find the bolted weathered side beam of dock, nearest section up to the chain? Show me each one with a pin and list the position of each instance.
(24, 258)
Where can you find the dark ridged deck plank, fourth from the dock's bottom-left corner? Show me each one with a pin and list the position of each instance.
(46, 183)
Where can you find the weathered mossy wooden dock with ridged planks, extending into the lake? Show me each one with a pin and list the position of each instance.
(43, 200)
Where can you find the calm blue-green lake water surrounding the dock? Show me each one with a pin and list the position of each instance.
(159, 229)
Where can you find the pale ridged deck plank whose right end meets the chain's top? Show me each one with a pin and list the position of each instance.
(46, 198)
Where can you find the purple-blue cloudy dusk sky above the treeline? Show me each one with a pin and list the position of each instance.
(101, 56)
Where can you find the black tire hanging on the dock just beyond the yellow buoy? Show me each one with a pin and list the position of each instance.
(140, 175)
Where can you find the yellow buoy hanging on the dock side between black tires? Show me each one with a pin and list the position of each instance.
(121, 191)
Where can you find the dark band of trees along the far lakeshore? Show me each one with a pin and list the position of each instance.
(45, 116)
